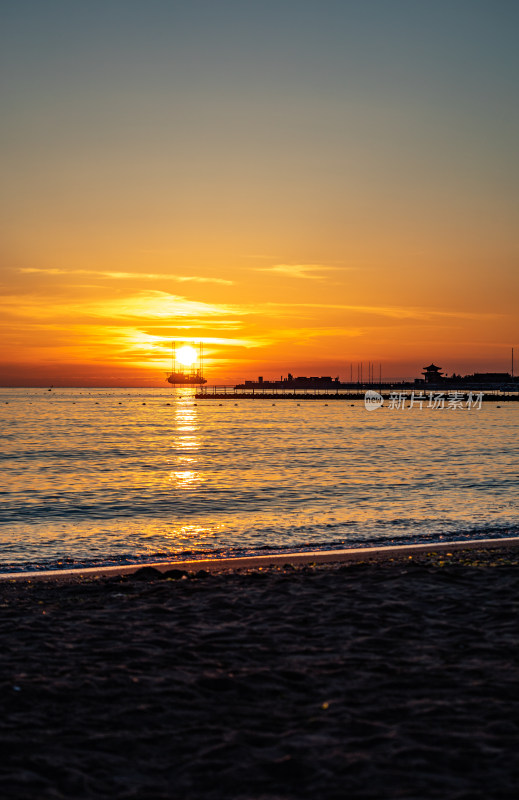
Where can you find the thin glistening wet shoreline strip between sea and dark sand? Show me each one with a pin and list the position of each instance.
(386, 553)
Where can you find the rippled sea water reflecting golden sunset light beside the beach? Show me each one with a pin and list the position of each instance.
(108, 476)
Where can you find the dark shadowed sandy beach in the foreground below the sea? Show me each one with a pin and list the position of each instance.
(374, 678)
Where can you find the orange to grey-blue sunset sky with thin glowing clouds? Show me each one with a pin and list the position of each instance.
(301, 185)
